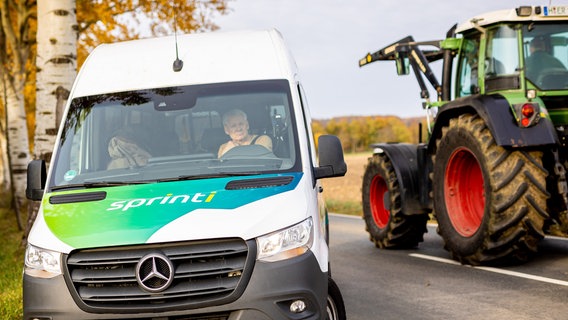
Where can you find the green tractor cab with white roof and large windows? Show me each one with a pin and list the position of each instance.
(521, 54)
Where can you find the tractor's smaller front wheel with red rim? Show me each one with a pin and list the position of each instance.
(388, 226)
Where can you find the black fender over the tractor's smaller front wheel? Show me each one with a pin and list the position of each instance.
(409, 163)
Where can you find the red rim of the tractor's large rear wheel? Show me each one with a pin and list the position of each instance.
(464, 192)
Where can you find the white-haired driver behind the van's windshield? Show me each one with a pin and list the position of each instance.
(236, 126)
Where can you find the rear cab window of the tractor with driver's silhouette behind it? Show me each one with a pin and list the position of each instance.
(545, 48)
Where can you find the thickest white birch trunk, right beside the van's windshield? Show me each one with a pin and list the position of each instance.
(56, 65)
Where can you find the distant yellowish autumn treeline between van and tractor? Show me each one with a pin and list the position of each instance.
(358, 133)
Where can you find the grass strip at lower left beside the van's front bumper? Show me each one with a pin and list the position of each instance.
(11, 264)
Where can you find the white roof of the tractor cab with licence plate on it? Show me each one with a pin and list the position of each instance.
(520, 14)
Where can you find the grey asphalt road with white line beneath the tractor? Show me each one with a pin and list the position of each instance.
(424, 283)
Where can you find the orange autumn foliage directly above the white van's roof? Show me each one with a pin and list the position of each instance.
(111, 21)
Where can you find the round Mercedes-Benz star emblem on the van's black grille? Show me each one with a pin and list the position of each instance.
(154, 272)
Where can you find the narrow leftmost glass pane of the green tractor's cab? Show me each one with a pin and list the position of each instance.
(468, 67)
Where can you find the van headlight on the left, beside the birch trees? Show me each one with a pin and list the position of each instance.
(42, 263)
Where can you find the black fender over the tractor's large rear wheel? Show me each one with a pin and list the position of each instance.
(496, 112)
